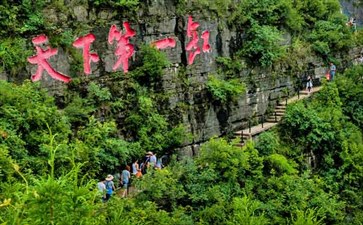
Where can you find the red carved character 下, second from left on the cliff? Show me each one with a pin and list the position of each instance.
(85, 43)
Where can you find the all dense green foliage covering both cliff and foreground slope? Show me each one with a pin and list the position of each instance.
(52, 149)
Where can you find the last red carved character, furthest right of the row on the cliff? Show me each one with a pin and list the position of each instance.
(193, 44)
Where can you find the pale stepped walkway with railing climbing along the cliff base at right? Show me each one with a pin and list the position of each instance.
(273, 119)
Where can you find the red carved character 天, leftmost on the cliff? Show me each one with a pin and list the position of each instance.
(41, 60)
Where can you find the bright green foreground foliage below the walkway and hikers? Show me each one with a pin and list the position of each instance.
(307, 171)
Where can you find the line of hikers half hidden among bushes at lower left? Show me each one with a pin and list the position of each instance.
(107, 187)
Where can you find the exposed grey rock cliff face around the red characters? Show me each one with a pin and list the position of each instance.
(202, 116)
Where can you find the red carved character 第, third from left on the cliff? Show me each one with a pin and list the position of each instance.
(124, 49)
